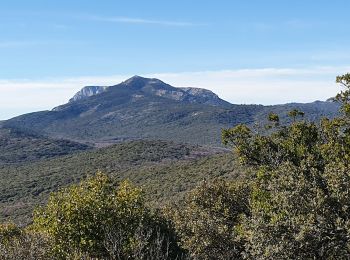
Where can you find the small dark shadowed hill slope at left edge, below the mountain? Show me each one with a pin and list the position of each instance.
(18, 146)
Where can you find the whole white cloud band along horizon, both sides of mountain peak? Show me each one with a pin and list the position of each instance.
(245, 86)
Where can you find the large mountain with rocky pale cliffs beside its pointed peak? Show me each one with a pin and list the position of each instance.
(146, 108)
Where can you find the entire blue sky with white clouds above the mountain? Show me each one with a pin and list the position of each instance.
(252, 51)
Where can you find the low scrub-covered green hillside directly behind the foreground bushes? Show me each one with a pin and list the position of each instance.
(165, 170)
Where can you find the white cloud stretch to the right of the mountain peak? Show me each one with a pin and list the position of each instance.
(263, 86)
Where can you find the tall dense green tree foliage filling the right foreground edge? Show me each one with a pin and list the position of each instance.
(300, 189)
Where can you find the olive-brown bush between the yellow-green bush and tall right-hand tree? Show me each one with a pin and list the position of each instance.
(208, 220)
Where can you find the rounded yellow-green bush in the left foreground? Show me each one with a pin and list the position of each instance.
(102, 220)
